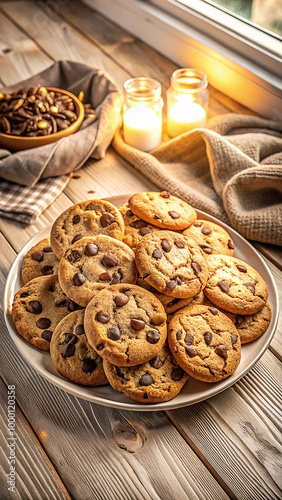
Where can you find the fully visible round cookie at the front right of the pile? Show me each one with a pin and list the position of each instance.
(205, 343)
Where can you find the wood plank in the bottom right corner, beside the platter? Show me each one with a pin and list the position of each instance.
(243, 422)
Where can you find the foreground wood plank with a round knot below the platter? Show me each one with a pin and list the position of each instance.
(81, 440)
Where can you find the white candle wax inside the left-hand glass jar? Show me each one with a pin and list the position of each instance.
(142, 128)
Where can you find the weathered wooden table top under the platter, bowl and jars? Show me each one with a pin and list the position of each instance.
(228, 446)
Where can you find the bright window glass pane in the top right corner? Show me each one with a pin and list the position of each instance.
(265, 14)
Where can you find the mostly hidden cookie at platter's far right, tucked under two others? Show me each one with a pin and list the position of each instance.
(251, 327)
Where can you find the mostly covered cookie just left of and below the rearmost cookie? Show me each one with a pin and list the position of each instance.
(135, 228)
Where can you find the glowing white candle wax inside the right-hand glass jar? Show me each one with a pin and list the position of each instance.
(185, 115)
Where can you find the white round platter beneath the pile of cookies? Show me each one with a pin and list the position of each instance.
(194, 391)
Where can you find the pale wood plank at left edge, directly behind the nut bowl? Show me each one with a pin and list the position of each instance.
(20, 57)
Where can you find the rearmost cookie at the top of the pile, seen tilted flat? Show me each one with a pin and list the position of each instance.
(162, 210)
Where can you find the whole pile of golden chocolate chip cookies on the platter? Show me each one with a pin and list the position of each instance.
(141, 297)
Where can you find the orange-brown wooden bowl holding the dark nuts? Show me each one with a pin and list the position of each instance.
(18, 143)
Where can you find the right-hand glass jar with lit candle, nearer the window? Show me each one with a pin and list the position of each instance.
(187, 101)
